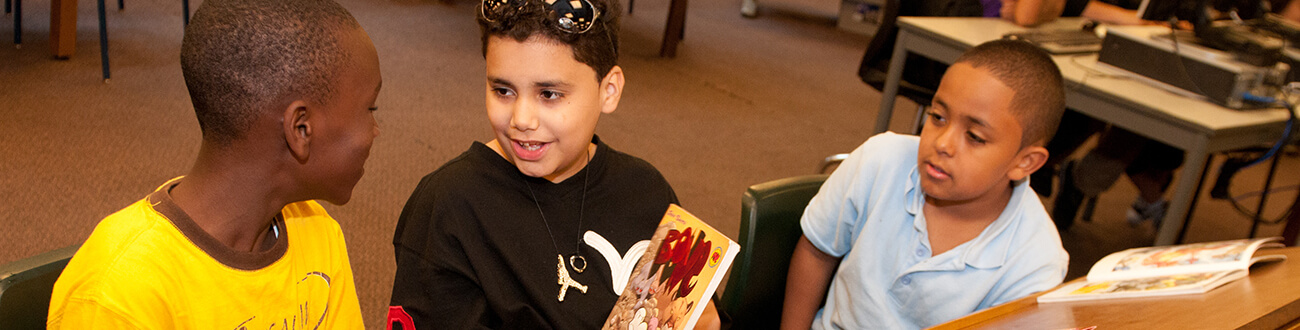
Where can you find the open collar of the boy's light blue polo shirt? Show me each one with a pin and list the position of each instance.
(993, 246)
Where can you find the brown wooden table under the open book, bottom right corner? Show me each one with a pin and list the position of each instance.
(1268, 299)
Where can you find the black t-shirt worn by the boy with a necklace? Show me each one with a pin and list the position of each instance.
(474, 251)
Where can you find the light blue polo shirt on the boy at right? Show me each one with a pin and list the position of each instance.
(869, 214)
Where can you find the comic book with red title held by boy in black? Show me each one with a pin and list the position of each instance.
(675, 277)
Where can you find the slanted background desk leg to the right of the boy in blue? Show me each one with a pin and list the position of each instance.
(1186, 189)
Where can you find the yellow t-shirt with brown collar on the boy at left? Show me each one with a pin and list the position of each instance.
(151, 267)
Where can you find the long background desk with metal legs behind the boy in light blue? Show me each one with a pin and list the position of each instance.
(1198, 128)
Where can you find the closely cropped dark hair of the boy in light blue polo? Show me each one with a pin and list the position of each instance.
(1037, 81)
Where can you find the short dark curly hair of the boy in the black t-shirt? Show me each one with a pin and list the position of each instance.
(597, 49)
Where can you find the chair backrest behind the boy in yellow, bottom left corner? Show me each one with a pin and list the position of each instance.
(27, 285)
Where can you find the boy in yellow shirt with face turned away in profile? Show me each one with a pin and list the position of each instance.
(284, 92)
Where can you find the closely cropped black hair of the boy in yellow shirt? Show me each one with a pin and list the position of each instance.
(242, 57)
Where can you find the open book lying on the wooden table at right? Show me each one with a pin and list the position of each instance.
(1167, 271)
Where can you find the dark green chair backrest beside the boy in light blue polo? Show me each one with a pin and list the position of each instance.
(769, 231)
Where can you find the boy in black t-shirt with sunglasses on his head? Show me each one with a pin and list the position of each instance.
(523, 232)
